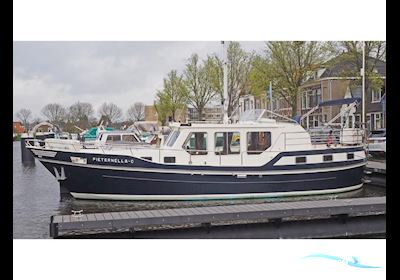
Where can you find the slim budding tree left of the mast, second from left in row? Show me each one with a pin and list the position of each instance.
(198, 80)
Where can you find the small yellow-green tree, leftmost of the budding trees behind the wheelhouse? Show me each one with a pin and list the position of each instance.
(172, 97)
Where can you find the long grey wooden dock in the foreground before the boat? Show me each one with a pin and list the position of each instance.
(301, 219)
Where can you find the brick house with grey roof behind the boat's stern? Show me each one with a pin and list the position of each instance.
(331, 83)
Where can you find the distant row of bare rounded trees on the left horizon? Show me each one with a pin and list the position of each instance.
(81, 114)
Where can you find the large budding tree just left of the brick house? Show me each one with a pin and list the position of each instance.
(291, 62)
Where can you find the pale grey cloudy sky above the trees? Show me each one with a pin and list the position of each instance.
(97, 72)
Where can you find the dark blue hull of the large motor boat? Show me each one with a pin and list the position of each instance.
(139, 180)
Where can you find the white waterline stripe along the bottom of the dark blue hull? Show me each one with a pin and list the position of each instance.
(210, 196)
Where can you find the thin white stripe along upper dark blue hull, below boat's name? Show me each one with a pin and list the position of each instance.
(205, 172)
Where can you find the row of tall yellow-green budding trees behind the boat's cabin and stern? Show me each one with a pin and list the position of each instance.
(285, 64)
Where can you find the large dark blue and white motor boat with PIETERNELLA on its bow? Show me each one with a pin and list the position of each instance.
(262, 157)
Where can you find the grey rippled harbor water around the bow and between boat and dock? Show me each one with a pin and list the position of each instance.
(36, 196)
